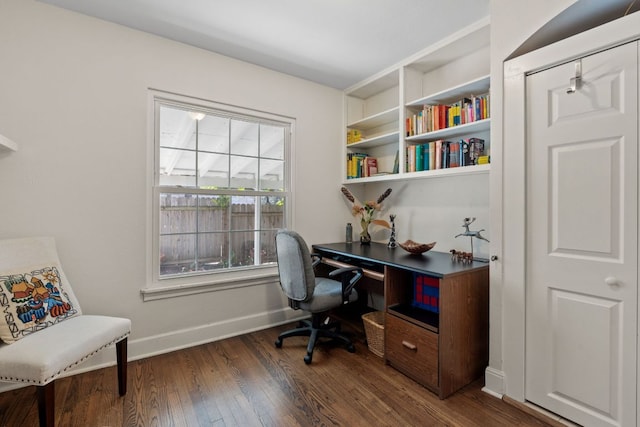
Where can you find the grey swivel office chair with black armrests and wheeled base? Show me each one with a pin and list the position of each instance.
(316, 295)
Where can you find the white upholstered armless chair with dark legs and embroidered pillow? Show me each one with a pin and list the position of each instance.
(43, 330)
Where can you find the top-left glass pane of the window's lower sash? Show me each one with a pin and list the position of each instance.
(177, 213)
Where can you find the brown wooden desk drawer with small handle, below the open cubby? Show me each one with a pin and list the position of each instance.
(412, 350)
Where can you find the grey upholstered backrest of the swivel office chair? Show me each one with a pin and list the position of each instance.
(295, 268)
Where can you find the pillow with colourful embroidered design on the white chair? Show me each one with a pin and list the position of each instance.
(31, 300)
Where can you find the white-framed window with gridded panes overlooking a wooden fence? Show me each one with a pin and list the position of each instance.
(220, 188)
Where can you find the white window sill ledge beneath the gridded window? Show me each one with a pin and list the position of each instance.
(177, 290)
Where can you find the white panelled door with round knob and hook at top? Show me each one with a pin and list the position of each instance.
(582, 239)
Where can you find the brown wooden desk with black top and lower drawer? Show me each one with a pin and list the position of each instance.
(444, 349)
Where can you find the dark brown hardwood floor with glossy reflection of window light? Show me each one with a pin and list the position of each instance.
(246, 381)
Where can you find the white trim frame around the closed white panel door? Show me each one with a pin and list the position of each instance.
(513, 254)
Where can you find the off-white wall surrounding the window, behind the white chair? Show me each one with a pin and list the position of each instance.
(73, 95)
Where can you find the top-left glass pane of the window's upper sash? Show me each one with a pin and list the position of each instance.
(177, 128)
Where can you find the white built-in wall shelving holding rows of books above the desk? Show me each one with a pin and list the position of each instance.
(454, 68)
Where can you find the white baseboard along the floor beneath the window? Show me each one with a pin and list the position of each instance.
(176, 340)
